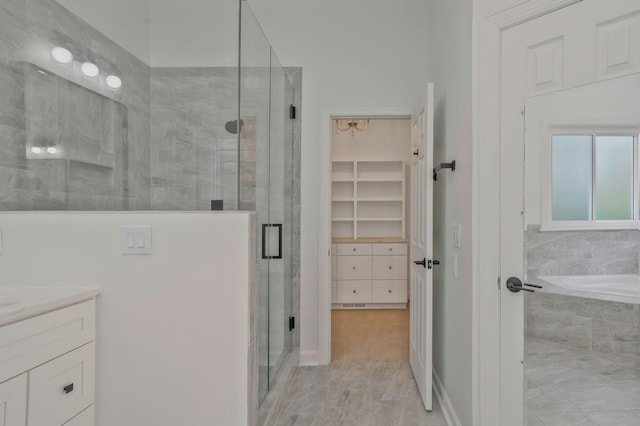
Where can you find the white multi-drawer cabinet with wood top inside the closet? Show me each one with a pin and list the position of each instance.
(369, 274)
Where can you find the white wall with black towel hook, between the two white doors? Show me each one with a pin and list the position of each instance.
(450, 70)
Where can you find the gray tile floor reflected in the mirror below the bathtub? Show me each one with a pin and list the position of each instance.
(567, 386)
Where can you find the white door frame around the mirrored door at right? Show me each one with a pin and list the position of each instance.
(486, 200)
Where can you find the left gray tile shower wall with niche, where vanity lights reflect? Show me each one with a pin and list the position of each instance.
(102, 138)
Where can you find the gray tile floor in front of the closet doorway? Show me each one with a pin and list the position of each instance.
(356, 394)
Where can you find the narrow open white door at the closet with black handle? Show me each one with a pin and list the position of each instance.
(421, 274)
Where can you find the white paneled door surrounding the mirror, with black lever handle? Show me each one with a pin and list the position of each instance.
(578, 45)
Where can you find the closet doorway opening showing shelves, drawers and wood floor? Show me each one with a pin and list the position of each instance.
(370, 193)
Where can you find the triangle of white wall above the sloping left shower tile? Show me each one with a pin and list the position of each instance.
(124, 21)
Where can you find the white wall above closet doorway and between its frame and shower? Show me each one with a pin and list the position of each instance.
(369, 53)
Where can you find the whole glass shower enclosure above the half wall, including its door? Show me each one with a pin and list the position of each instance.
(145, 113)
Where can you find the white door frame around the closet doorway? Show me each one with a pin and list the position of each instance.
(324, 226)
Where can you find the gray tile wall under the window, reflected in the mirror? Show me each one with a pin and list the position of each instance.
(581, 252)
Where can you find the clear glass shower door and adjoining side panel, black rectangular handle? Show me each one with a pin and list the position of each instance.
(265, 185)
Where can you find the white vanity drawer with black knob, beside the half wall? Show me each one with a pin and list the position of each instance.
(62, 388)
